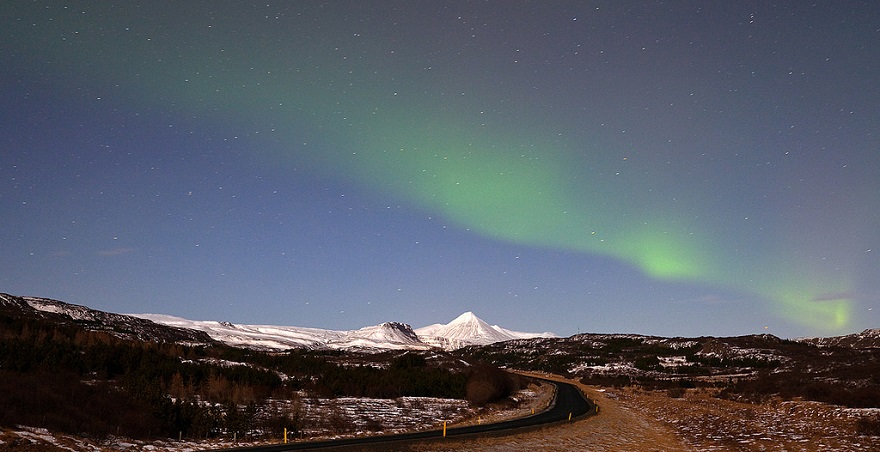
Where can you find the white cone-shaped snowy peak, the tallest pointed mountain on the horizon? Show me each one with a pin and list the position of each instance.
(468, 329)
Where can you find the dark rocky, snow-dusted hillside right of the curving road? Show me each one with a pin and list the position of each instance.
(749, 368)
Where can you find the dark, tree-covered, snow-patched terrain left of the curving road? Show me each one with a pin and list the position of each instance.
(96, 375)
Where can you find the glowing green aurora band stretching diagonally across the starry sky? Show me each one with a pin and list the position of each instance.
(506, 178)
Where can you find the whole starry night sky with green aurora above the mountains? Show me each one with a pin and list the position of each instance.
(675, 168)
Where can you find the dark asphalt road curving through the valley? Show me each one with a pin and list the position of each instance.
(570, 403)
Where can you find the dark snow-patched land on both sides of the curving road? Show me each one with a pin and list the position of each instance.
(106, 381)
